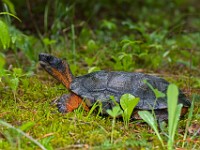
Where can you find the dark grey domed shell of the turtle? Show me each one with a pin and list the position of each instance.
(101, 85)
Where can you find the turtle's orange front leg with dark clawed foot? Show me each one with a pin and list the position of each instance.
(67, 103)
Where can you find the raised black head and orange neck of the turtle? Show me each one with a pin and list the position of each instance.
(56, 67)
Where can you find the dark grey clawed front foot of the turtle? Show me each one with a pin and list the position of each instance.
(61, 104)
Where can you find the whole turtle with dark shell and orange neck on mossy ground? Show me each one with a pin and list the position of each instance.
(87, 89)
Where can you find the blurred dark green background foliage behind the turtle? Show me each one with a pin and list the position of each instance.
(145, 35)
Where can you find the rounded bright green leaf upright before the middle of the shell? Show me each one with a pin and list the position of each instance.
(128, 103)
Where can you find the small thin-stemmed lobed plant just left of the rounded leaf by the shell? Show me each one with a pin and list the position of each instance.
(116, 111)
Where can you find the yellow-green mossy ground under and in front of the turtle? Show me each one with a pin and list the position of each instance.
(34, 111)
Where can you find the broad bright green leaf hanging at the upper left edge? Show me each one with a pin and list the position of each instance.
(4, 35)
